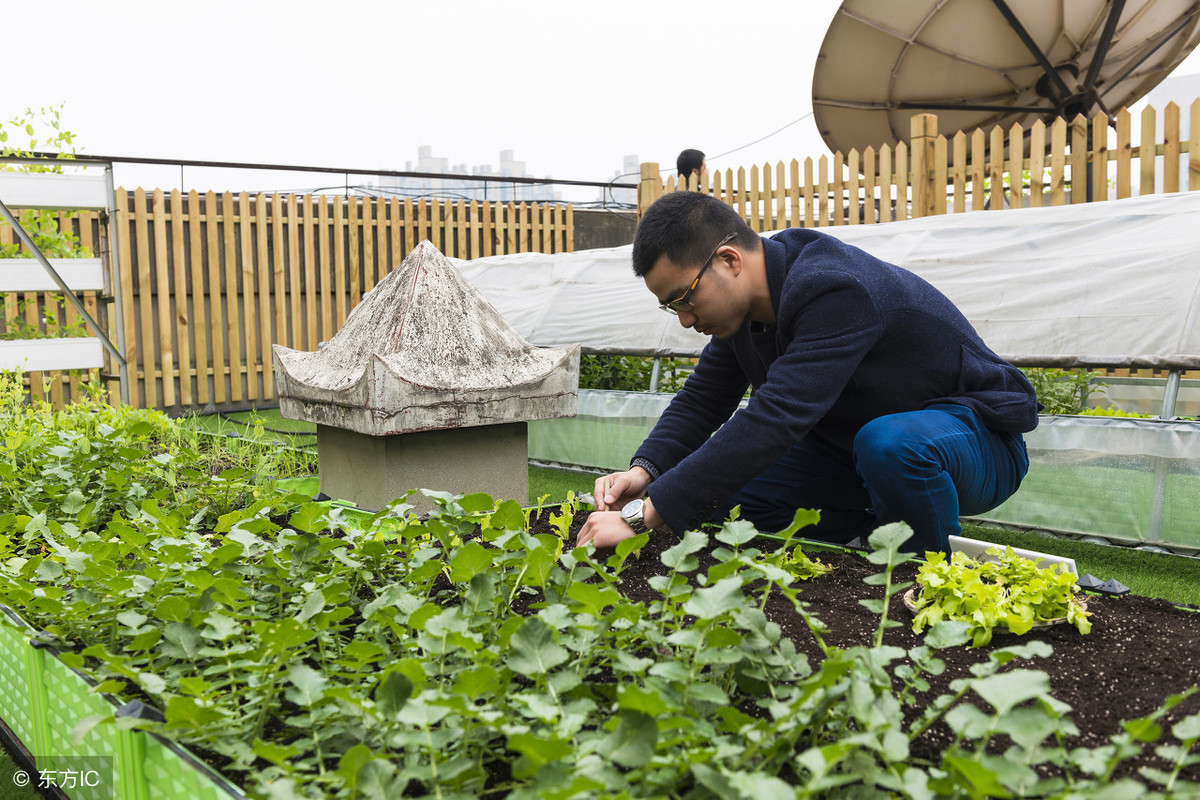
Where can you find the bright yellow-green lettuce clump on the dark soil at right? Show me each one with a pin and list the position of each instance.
(1013, 593)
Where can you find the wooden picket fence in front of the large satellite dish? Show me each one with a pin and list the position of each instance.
(931, 175)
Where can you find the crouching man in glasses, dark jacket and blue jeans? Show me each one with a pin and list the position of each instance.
(873, 399)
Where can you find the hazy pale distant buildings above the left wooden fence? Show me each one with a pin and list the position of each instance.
(483, 188)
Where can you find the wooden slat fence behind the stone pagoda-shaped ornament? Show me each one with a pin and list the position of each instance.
(208, 284)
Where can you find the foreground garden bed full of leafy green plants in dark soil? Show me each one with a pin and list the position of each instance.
(309, 651)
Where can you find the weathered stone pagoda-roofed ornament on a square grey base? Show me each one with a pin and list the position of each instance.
(425, 387)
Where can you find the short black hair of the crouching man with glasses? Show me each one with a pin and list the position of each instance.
(687, 227)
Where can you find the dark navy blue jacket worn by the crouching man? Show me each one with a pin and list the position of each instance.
(855, 339)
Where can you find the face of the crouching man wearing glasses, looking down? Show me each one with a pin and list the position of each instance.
(715, 305)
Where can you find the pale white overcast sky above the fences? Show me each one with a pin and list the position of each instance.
(572, 88)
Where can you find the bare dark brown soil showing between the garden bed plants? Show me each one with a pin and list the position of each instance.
(1141, 649)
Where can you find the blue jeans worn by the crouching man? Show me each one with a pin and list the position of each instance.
(925, 468)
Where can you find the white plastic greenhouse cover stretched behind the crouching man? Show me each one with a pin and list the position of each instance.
(1114, 284)
